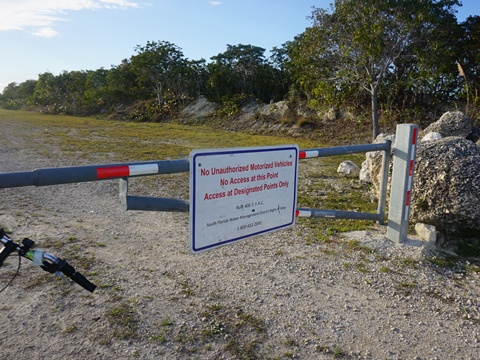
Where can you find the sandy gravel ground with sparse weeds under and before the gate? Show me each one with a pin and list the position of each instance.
(277, 296)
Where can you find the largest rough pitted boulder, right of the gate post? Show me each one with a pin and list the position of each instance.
(446, 187)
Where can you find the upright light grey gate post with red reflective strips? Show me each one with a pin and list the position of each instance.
(402, 182)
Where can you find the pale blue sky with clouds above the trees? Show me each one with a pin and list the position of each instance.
(37, 36)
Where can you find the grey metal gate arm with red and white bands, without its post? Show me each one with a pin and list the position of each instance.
(123, 171)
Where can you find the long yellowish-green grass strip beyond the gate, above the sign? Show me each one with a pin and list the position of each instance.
(129, 141)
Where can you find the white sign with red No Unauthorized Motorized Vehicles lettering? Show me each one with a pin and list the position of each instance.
(239, 193)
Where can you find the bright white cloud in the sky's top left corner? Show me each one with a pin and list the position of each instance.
(40, 16)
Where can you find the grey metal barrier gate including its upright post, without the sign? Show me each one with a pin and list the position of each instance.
(402, 179)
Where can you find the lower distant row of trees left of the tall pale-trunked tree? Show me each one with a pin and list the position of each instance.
(159, 76)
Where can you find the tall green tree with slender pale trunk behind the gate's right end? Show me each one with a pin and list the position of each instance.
(358, 44)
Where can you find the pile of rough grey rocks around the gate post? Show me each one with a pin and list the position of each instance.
(446, 187)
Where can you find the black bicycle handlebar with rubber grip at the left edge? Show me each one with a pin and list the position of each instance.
(47, 262)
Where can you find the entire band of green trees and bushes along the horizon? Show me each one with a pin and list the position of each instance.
(400, 59)
